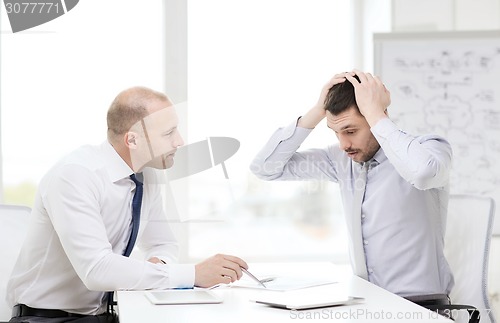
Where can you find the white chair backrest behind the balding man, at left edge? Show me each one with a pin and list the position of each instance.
(13, 228)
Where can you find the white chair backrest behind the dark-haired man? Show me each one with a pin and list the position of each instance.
(467, 246)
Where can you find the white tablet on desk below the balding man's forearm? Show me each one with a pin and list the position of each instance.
(182, 296)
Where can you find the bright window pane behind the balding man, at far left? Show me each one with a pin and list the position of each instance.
(59, 78)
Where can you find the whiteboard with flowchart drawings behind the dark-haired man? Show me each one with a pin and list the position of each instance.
(448, 83)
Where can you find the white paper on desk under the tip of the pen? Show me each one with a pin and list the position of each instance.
(282, 283)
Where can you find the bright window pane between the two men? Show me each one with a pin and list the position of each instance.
(255, 66)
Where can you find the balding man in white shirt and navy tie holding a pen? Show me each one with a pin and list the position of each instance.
(81, 223)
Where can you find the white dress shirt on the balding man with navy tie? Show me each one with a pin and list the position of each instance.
(79, 229)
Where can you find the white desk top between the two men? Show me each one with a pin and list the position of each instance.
(379, 306)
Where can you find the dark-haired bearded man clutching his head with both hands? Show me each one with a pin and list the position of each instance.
(394, 186)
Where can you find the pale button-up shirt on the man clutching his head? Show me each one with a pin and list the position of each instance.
(403, 212)
